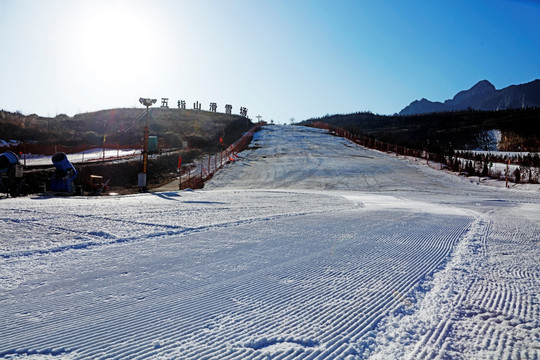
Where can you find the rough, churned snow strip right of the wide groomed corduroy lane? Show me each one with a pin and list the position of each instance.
(473, 311)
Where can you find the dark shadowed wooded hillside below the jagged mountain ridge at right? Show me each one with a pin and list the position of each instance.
(519, 128)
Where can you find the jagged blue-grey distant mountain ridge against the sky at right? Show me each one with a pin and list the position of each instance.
(482, 96)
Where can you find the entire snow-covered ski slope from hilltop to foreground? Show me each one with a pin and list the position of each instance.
(309, 247)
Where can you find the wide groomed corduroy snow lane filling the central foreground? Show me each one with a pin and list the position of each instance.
(287, 296)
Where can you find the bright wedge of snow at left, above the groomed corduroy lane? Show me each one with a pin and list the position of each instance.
(54, 222)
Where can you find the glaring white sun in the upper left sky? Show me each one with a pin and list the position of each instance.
(114, 41)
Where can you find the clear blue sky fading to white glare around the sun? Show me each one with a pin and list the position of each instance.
(281, 59)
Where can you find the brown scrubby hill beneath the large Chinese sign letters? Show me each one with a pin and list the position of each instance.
(124, 127)
